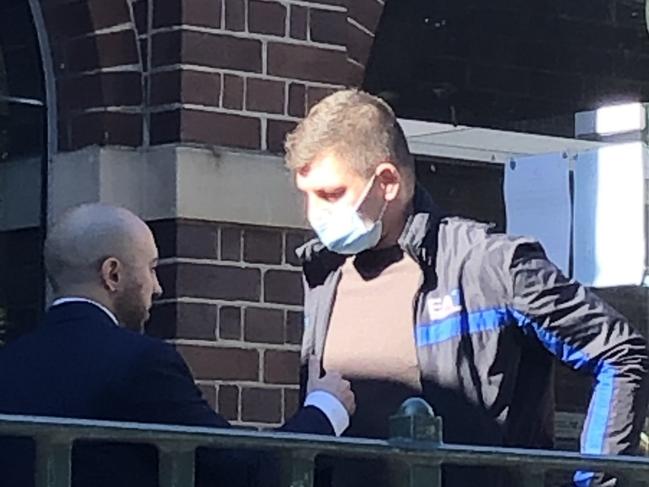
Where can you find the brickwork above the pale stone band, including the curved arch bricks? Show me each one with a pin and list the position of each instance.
(235, 73)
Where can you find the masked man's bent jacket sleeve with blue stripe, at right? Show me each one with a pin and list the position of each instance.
(588, 335)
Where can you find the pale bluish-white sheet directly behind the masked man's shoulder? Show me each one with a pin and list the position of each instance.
(537, 202)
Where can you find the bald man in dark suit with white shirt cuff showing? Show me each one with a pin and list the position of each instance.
(88, 359)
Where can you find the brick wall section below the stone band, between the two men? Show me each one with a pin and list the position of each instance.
(232, 305)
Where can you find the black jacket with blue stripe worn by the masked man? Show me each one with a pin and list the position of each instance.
(490, 319)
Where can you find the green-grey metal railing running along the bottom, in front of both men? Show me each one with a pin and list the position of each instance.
(415, 445)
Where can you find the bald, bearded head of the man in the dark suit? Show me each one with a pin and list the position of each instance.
(108, 255)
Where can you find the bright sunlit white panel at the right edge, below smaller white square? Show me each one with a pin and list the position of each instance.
(609, 216)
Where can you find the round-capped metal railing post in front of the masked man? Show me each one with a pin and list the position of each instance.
(415, 422)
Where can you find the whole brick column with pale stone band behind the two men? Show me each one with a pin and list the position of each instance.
(187, 101)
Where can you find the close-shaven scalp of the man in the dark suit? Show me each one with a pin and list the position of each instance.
(87, 235)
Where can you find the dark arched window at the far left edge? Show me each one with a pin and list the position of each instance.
(22, 150)
